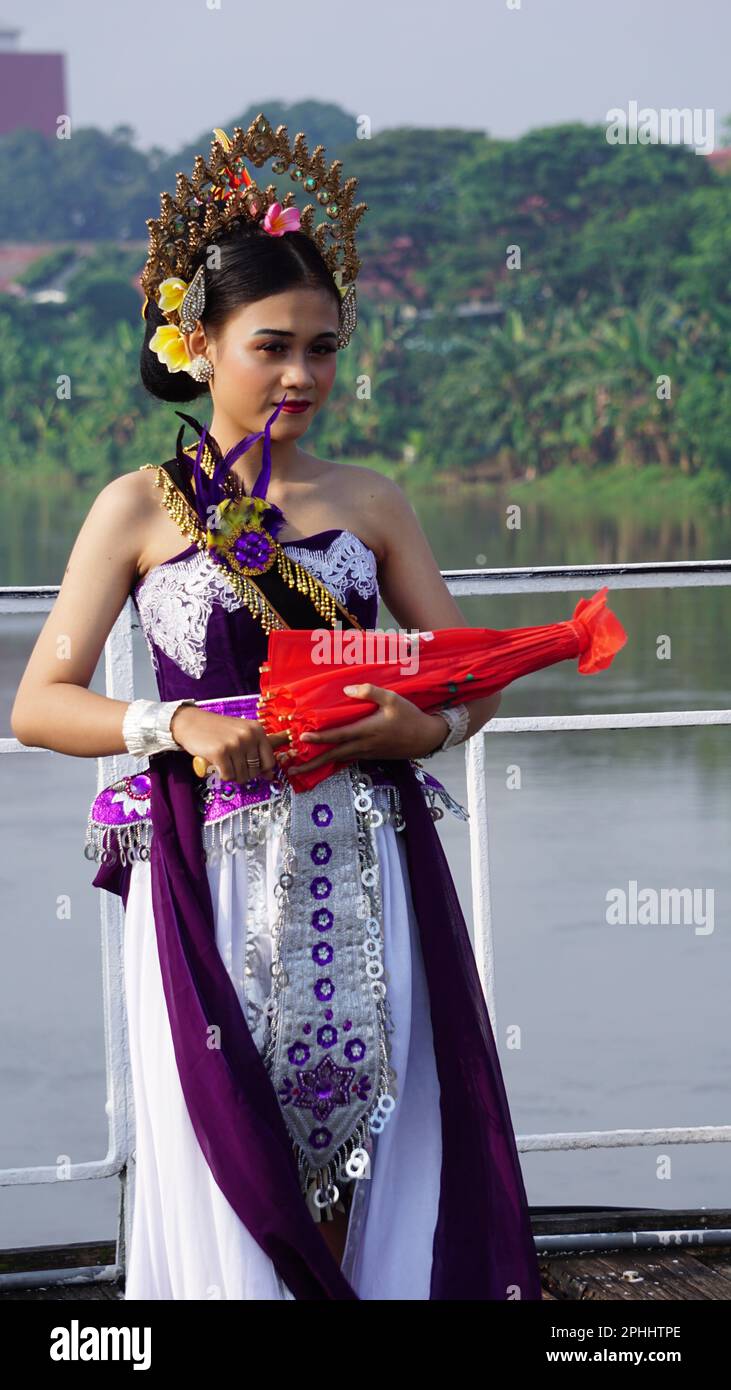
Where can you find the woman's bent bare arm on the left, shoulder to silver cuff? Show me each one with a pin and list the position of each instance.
(54, 705)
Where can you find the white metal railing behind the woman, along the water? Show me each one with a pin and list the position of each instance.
(463, 584)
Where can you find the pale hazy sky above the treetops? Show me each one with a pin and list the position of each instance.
(174, 69)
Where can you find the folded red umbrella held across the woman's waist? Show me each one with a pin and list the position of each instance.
(304, 678)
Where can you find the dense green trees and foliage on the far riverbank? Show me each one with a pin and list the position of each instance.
(552, 300)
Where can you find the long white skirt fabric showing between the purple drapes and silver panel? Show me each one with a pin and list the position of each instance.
(187, 1239)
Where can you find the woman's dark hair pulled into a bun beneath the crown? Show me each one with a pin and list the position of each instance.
(254, 265)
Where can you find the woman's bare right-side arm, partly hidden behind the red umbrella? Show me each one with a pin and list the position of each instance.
(415, 591)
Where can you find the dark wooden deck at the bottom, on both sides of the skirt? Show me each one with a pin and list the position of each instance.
(687, 1273)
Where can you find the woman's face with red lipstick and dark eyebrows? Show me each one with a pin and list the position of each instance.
(283, 344)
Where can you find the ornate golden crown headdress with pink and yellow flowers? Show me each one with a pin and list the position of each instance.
(220, 193)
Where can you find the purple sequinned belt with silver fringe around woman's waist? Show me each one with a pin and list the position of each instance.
(120, 822)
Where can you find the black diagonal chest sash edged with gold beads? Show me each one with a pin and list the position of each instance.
(286, 596)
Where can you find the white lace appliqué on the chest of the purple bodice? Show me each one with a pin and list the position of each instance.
(176, 601)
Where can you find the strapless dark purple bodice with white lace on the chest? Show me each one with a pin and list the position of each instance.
(205, 643)
